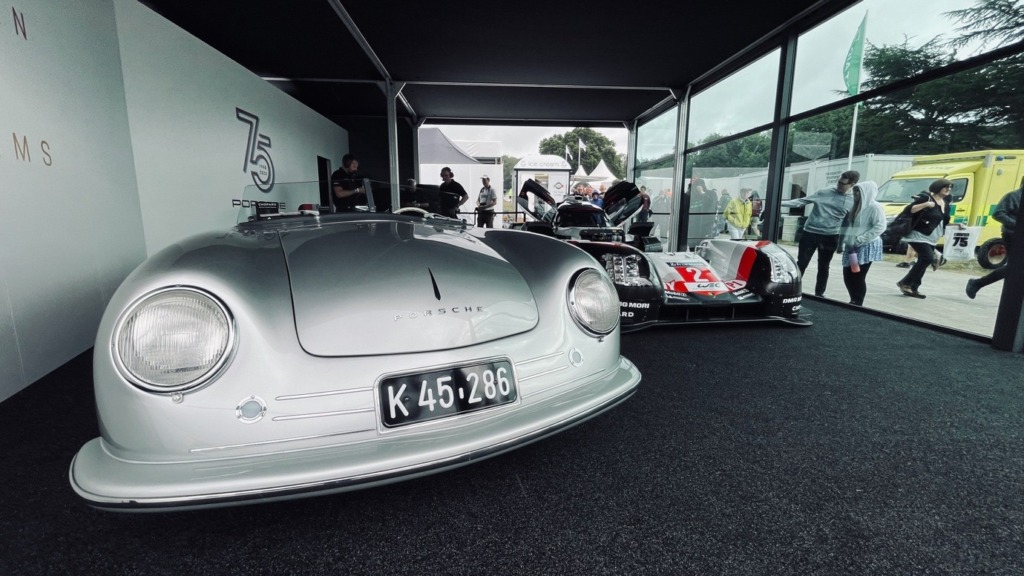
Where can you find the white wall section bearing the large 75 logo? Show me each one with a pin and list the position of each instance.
(190, 146)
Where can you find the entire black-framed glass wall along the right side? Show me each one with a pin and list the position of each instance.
(966, 128)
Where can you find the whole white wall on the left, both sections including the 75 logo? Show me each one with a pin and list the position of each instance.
(134, 143)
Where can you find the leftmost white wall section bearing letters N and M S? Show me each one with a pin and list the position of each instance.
(70, 225)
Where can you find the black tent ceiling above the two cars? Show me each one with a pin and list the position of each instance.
(528, 62)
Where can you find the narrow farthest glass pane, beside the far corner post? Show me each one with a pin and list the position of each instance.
(656, 167)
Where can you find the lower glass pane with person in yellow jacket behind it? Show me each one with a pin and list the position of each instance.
(718, 175)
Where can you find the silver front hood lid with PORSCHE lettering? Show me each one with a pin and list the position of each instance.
(400, 287)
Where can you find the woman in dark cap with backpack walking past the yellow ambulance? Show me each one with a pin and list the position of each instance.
(931, 216)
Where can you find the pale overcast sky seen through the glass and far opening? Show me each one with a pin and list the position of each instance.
(820, 73)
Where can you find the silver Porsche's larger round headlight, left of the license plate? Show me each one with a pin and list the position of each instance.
(174, 340)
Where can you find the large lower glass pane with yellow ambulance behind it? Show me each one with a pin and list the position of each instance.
(967, 128)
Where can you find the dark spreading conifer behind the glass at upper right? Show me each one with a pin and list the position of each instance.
(983, 108)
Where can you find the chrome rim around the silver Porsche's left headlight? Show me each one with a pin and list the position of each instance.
(207, 377)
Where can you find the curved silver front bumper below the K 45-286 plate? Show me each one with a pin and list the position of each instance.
(107, 482)
